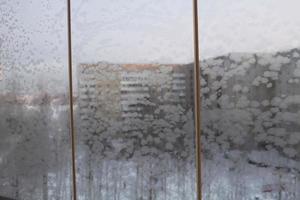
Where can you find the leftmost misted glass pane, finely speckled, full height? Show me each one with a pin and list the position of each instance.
(34, 134)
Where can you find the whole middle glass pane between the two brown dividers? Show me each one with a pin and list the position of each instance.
(134, 99)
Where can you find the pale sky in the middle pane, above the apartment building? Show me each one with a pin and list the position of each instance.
(135, 31)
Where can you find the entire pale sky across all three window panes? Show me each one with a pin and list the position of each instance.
(33, 35)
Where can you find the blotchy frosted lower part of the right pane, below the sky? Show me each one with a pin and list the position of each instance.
(251, 126)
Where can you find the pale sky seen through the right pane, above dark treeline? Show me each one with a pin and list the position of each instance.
(248, 26)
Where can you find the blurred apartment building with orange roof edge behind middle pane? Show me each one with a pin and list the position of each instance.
(128, 91)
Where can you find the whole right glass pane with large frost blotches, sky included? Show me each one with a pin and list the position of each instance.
(250, 73)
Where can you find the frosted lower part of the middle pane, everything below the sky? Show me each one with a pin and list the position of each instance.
(136, 132)
